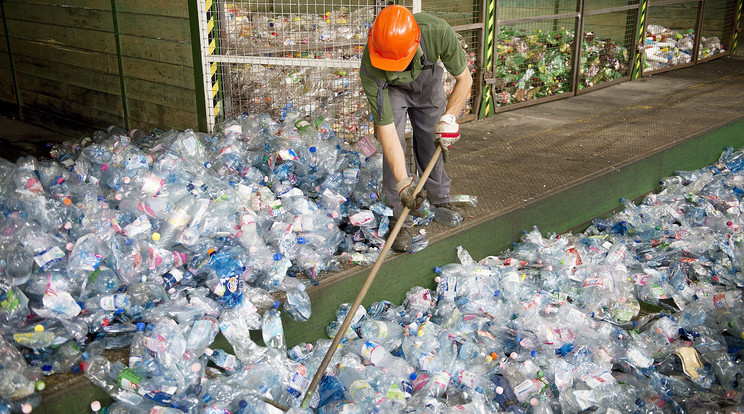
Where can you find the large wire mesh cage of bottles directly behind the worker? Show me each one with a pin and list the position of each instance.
(273, 56)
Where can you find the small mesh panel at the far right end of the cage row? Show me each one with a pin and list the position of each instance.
(717, 28)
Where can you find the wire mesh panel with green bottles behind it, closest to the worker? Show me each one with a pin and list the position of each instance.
(533, 60)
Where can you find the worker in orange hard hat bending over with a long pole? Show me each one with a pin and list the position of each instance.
(401, 77)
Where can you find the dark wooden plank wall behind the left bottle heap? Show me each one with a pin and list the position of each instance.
(74, 75)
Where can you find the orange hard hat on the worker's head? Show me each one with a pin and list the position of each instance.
(393, 38)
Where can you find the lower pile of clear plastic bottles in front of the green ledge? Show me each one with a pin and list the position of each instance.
(552, 325)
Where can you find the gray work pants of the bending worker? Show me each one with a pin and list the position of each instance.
(424, 102)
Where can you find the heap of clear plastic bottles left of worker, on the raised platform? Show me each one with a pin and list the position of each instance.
(127, 227)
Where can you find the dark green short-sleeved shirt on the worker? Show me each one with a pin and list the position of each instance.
(441, 44)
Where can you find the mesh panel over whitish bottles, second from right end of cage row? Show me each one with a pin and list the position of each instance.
(669, 39)
